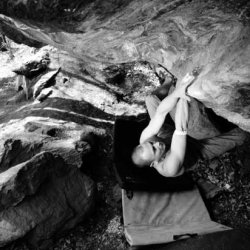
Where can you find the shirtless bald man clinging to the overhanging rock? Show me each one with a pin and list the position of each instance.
(168, 148)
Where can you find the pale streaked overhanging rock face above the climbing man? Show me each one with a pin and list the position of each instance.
(180, 35)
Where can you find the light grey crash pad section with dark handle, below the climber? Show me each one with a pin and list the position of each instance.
(157, 217)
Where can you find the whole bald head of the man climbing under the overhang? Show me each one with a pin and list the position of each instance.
(147, 153)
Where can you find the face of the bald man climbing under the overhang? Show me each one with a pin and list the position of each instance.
(152, 151)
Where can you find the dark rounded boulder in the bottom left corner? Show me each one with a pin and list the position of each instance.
(41, 198)
